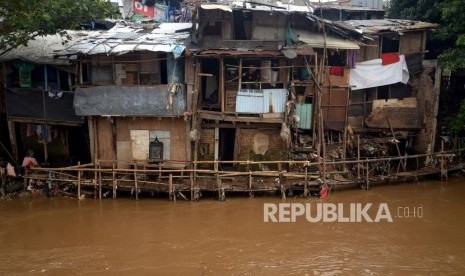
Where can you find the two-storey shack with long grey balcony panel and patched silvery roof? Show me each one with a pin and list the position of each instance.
(130, 89)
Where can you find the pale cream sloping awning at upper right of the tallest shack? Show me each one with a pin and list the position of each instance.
(317, 40)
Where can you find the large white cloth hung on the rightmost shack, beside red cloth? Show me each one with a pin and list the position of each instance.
(372, 73)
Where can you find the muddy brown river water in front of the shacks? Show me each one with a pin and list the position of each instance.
(63, 236)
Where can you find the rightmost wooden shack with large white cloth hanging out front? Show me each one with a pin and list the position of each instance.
(392, 88)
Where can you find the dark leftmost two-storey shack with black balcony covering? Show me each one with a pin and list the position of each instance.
(37, 103)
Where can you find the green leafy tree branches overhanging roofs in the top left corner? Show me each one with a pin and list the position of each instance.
(23, 20)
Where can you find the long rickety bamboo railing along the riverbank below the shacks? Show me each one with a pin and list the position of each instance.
(180, 177)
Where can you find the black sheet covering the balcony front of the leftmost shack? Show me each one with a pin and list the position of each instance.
(28, 104)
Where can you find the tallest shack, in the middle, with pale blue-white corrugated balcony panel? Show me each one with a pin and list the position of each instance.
(255, 81)
